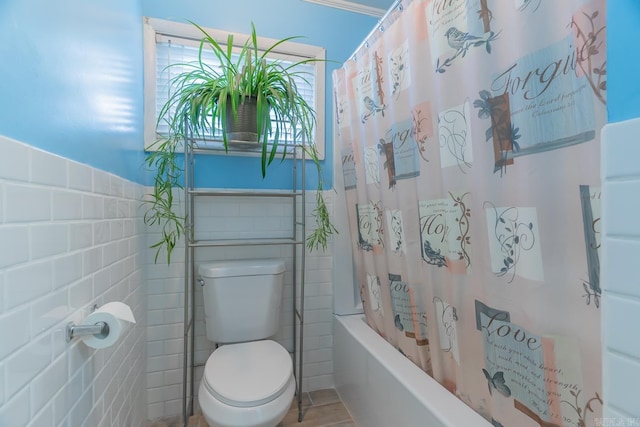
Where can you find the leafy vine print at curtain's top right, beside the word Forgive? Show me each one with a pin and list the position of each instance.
(589, 44)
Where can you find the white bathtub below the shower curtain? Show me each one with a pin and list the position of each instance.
(382, 388)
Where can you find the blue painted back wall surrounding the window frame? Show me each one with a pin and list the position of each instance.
(340, 32)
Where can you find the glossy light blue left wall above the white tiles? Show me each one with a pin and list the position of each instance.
(71, 80)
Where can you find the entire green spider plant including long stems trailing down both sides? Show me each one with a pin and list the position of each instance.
(206, 100)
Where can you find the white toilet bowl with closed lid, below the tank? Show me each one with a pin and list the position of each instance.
(249, 384)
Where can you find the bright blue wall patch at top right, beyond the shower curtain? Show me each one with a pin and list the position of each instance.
(623, 61)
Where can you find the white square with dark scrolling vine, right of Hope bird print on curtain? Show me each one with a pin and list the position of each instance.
(513, 236)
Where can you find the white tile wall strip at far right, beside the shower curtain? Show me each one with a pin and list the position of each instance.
(620, 271)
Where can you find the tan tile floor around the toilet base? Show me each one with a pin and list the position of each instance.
(321, 408)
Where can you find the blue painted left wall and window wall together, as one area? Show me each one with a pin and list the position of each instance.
(71, 74)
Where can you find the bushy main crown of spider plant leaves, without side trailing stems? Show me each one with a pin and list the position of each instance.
(204, 94)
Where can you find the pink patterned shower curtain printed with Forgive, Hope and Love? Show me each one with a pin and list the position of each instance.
(469, 133)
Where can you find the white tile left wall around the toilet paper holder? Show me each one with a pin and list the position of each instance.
(70, 238)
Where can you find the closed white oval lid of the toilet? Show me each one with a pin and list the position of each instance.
(248, 374)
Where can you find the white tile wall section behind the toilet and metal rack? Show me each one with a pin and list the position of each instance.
(235, 217)
